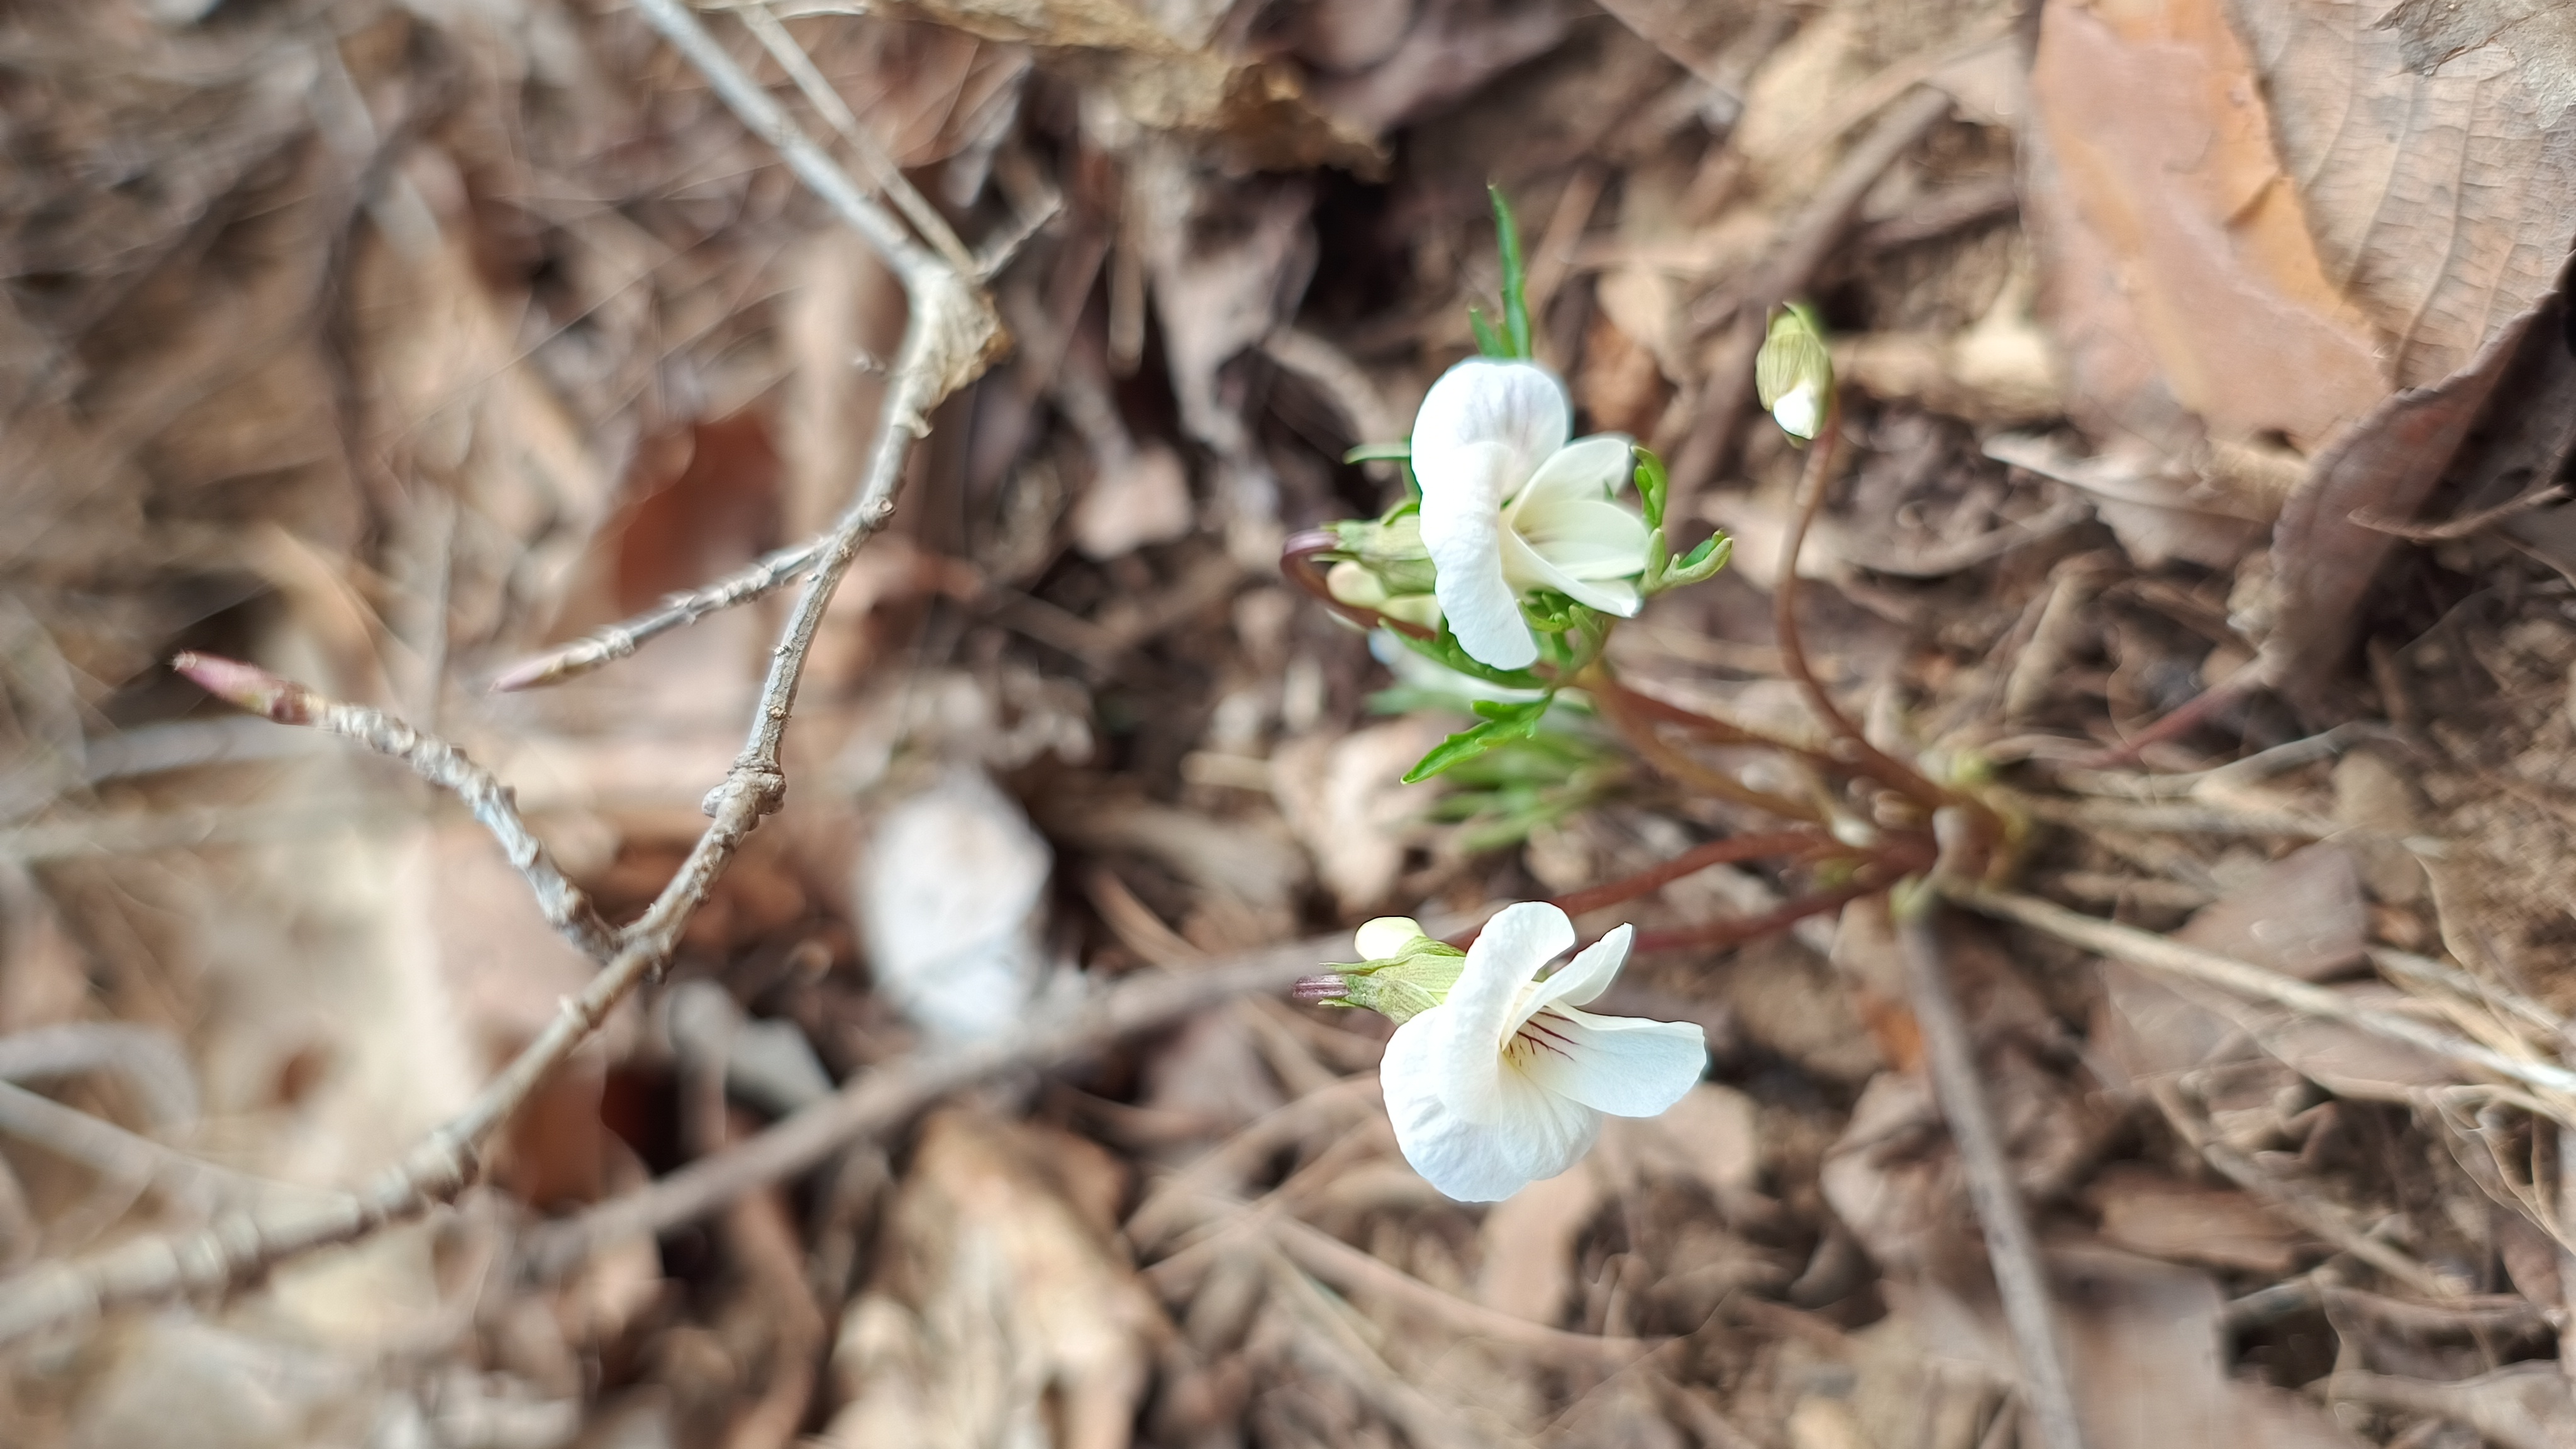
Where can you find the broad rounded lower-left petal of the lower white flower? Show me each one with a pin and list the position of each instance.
(1529, 1136)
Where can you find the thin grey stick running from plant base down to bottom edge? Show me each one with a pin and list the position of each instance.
(2016, 1254)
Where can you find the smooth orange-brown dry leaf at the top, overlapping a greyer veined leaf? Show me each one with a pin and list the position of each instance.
(2178, 259)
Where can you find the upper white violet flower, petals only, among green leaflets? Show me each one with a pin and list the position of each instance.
(1508, 507)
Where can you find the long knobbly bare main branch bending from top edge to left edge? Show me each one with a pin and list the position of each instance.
(947, 342)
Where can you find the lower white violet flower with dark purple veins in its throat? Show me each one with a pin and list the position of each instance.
(1506, 1082)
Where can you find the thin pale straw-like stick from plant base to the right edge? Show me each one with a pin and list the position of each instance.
(2191, 963)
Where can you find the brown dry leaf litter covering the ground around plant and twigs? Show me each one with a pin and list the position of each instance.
(2206, 432)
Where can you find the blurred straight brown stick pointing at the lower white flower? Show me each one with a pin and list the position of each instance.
(890, 1097)
